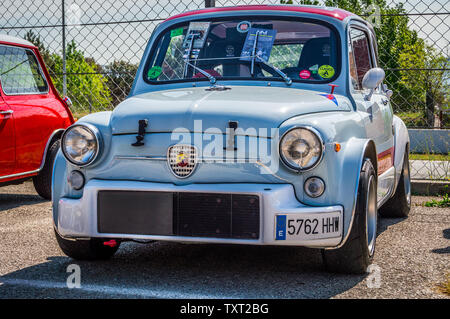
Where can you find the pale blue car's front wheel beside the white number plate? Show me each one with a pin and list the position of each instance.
(357, 253)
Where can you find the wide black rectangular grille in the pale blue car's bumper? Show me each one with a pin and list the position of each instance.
(183, 214)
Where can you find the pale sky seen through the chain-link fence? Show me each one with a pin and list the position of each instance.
(126, 41)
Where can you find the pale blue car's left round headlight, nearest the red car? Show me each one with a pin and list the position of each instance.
(80, 144)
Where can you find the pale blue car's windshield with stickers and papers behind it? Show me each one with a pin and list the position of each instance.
(245, 49)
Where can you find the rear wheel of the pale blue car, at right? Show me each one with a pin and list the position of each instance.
(399, 205)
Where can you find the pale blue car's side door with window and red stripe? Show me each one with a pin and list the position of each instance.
(373, 109)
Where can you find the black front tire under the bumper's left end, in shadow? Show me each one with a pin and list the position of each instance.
(89, 249)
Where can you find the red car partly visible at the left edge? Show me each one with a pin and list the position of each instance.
(32, 116)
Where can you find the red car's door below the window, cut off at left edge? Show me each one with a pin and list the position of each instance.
(7, 141)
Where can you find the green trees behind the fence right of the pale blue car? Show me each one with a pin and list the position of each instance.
(400, 50)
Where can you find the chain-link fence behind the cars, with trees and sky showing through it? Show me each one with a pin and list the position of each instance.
(92, 49)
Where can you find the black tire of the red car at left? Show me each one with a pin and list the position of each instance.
(43, 181)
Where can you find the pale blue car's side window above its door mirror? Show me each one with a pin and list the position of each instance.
(359, 56)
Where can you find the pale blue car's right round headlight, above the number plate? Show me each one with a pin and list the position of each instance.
(301, 148)
